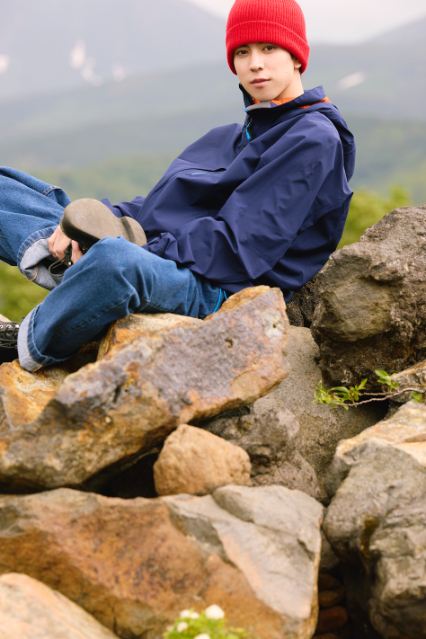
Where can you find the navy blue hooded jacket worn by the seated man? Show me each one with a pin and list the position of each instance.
(263, 203)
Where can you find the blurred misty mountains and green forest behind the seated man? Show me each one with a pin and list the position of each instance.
(98, 97)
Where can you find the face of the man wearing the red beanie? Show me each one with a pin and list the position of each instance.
(267, 71)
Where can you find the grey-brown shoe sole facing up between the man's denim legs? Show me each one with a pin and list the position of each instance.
(87, 221)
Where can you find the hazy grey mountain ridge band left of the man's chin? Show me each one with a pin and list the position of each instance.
(158, 93)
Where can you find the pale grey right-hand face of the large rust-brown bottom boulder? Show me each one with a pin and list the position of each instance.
(271, 534)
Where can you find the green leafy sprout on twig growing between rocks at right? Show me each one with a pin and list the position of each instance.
(346, 397)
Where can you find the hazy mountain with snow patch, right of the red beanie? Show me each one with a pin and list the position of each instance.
(384, 77)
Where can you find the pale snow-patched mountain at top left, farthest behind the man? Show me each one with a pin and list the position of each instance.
(50, 45)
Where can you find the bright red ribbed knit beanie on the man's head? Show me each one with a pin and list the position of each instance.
(279, 22)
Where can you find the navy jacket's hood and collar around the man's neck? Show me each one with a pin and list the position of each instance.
(267, 114)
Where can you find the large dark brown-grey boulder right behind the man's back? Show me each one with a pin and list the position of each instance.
(372, 309)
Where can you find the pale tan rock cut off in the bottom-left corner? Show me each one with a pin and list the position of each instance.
(31, 610)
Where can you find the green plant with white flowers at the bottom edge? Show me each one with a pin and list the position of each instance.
(209, 624)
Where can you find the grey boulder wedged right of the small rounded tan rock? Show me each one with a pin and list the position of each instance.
(289, 428)
